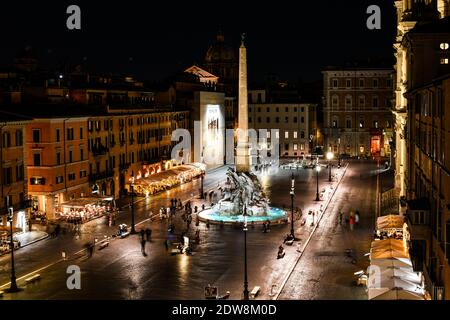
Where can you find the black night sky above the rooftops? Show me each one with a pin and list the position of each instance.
(293, 39)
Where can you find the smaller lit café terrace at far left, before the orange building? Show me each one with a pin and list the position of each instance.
(85, 209)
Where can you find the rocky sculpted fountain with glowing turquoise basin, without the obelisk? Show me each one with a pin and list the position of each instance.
(242, 189)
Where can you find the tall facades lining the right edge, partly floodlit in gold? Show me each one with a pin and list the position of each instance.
(421, 113)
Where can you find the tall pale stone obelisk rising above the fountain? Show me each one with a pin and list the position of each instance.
(242, 148)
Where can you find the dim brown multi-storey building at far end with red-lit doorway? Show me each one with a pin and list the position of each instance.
(357, 111)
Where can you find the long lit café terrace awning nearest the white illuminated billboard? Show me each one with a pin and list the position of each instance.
(148, 184)
